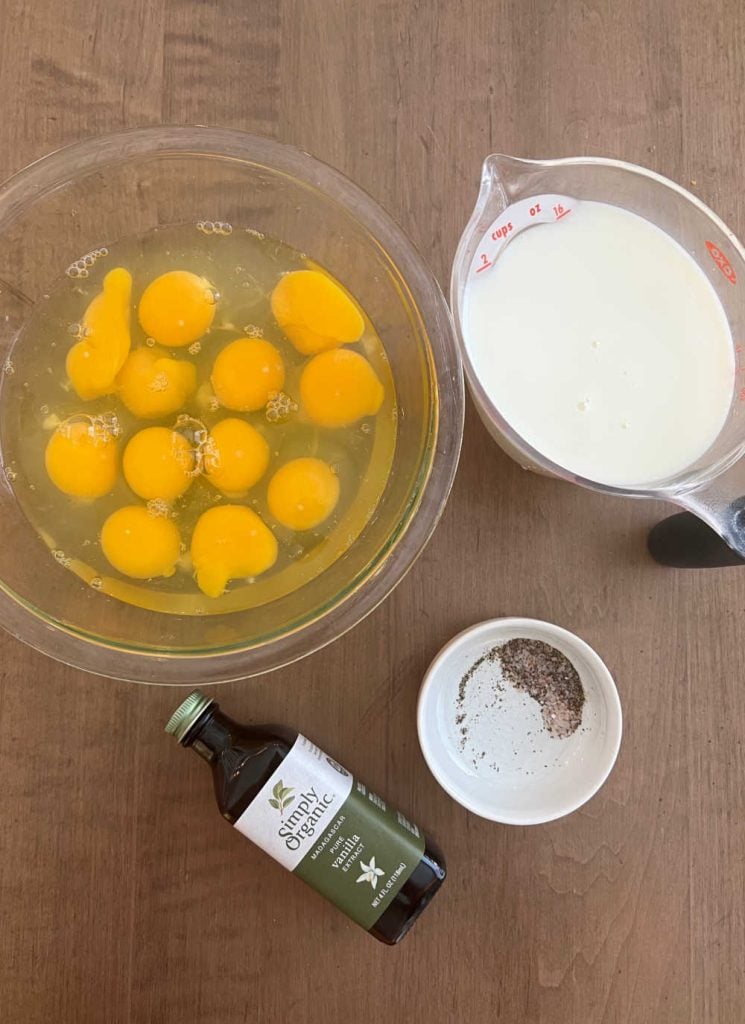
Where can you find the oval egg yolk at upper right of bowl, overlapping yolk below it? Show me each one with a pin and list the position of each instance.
(315, 313)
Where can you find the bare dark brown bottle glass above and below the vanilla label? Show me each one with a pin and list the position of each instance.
(244, 757)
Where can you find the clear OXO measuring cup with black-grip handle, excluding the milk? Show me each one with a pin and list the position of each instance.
(517, 194)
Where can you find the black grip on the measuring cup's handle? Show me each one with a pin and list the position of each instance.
(686, 542)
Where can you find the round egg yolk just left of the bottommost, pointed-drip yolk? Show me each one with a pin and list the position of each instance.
(140, 544)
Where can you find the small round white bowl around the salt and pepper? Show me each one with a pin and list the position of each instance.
(499, 760)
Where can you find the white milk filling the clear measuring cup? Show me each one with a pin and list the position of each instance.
(604, 347)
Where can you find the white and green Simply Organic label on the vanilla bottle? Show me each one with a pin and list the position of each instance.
(331, 831)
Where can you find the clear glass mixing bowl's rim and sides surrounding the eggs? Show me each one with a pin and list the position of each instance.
(95, 193)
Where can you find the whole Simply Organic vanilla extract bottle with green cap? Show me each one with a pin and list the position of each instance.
(309, 813)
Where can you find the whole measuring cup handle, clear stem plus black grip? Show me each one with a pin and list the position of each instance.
(713, 532)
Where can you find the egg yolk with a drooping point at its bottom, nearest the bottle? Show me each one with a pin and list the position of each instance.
(231, 542)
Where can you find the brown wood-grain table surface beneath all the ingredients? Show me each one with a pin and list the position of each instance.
(125, 899)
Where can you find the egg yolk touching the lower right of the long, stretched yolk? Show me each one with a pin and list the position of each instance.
(151, 386)
